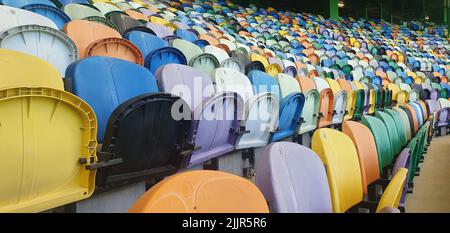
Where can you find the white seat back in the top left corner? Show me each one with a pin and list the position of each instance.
(14, 17)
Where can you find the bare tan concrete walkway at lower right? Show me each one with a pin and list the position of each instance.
(432, 187)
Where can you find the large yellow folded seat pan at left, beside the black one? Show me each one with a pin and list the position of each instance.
(46, 135)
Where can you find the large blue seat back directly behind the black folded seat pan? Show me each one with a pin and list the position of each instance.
(113, 82)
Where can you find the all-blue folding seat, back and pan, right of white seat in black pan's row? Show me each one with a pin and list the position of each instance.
(290, 106)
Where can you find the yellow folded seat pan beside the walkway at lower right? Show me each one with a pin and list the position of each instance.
(393, 193)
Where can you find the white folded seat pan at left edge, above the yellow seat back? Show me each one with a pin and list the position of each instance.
(44, 42)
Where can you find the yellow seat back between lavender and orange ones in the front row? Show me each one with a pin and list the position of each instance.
(339, 155)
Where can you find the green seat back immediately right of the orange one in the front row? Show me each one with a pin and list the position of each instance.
(379, 131)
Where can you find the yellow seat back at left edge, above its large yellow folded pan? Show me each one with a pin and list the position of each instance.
(19, 69)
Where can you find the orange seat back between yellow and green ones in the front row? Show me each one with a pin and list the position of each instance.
(367, 151)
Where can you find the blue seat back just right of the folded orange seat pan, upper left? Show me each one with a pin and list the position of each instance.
(146, 42)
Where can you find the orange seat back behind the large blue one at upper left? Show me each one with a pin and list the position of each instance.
(83, 33)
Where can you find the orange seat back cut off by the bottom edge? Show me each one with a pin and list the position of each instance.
(208, 192)
